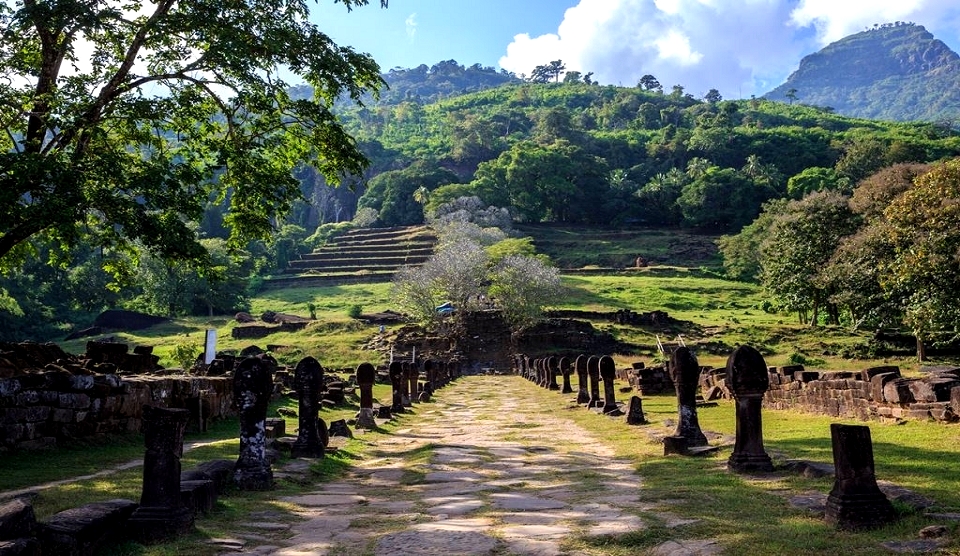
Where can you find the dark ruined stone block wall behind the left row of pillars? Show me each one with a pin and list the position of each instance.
(48, 395)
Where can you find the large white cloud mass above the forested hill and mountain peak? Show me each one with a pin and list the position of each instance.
(740, 47)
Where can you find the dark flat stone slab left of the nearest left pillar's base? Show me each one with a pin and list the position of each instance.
(85, 529)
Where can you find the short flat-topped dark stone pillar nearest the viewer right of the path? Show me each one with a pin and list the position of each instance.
(856, 501)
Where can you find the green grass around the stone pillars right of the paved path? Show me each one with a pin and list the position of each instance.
(750, 515)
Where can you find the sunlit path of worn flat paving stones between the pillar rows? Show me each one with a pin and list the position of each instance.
(478, 472)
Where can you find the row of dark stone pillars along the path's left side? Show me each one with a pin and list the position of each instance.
(162, 515)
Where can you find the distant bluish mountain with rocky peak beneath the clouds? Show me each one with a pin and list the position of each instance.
(895, 71)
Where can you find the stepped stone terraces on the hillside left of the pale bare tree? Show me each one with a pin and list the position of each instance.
(360, 256)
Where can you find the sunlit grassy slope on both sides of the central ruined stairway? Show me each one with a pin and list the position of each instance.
(714, 314)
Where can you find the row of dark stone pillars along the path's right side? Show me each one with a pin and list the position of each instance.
(855, 502)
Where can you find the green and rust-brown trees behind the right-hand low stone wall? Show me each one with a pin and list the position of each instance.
(882, 256)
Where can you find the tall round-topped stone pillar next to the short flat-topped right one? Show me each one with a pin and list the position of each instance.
(748, 379)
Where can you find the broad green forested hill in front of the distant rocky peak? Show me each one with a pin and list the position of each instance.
(576, 152)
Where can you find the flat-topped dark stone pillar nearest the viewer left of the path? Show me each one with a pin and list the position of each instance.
(161, 515)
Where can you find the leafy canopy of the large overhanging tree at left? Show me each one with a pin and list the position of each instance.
(122, 120)
